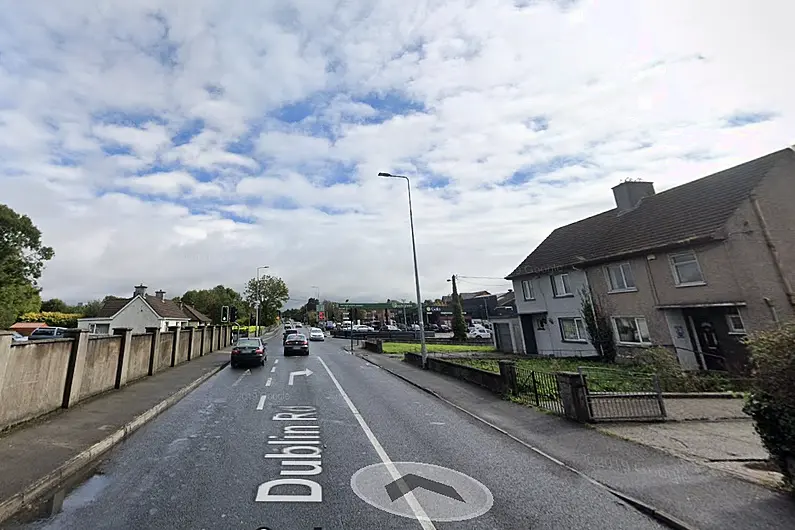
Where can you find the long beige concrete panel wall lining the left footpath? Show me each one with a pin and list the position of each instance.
(34, 376)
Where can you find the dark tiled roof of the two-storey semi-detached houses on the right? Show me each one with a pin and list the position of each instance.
(693, 211)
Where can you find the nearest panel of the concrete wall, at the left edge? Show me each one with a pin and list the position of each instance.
(32, 378)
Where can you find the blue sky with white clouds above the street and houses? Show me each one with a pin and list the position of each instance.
(184, 143)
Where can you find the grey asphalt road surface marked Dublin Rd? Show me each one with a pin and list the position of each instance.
(328, 442)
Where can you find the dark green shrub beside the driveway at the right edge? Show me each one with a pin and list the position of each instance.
(771, 402)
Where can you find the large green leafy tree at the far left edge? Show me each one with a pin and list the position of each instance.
(22, 258)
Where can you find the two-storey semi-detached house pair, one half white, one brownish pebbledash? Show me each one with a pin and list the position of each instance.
(694, 268)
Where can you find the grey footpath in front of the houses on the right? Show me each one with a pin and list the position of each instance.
(682, 493)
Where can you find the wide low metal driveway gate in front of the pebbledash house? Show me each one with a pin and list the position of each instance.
(616, 395)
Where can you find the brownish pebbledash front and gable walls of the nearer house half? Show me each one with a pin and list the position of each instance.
(739, 268)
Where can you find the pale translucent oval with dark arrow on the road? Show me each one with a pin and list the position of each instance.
(445, 495)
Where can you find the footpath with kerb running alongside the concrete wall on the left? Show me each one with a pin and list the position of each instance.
(41, 455)
